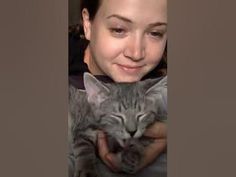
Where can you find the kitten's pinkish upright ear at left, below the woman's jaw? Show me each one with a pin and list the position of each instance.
(97, 92)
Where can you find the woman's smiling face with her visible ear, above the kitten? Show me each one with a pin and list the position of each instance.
(127, 38)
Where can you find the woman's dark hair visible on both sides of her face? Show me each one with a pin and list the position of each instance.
(93, 5)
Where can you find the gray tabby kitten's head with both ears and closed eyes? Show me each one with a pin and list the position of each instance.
(125, 110)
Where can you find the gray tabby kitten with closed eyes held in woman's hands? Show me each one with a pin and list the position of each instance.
(123, 111)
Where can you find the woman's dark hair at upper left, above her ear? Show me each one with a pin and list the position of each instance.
(92, 7)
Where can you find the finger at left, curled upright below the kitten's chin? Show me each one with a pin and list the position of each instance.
(107, 157)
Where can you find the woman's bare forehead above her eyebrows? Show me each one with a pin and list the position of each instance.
(151, 10)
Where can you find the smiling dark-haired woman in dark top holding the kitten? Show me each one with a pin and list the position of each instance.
(127, 42)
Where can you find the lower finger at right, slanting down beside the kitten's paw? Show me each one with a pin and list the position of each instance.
(152, 151)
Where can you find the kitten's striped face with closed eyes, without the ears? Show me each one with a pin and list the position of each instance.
(126, 113)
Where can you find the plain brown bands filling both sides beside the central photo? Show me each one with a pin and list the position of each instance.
(33, 88)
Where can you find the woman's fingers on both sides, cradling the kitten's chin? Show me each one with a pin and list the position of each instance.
(158, 131)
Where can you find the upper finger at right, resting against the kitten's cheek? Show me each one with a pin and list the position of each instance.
(157, 130)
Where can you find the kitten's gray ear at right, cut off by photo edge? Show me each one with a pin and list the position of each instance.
(159, 90)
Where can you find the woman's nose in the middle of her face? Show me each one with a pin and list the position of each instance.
(135, 49)
